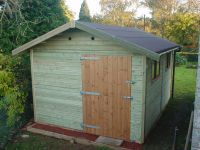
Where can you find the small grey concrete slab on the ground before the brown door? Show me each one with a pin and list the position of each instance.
(109, 141)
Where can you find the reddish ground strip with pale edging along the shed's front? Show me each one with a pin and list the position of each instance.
(81, 137)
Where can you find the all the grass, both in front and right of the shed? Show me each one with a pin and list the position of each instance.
(177, 114)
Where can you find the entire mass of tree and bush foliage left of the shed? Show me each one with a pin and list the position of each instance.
(25, 21)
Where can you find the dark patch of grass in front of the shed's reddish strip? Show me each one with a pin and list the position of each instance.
(39, 142)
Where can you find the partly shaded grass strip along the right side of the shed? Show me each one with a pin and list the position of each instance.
(176, 114)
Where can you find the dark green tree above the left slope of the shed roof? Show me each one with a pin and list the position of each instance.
(30, 19)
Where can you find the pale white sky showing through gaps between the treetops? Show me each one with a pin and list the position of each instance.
(94, 7)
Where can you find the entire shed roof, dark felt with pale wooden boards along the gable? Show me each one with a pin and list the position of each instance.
(131, 38)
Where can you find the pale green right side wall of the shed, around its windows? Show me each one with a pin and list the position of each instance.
(158, 92)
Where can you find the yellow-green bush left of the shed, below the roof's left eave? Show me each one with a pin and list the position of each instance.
(12, 99)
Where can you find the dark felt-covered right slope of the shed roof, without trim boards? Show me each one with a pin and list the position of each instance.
(136, 36)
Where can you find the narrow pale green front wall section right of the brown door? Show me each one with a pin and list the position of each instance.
(138, 92)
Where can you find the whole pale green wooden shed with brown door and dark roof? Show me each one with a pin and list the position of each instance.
(99, 79)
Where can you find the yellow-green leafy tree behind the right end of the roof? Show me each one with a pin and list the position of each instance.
(182, 28)
